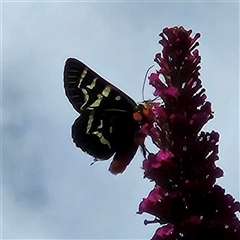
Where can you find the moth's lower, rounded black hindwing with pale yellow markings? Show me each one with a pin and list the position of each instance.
(101, 134)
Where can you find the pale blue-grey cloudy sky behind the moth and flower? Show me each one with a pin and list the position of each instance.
(49, 190)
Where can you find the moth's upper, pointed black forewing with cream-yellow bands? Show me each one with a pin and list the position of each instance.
(84, 88)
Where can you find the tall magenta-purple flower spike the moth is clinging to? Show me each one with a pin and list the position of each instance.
(186, 200)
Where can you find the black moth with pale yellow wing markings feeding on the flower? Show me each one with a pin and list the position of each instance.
(108, 124)
